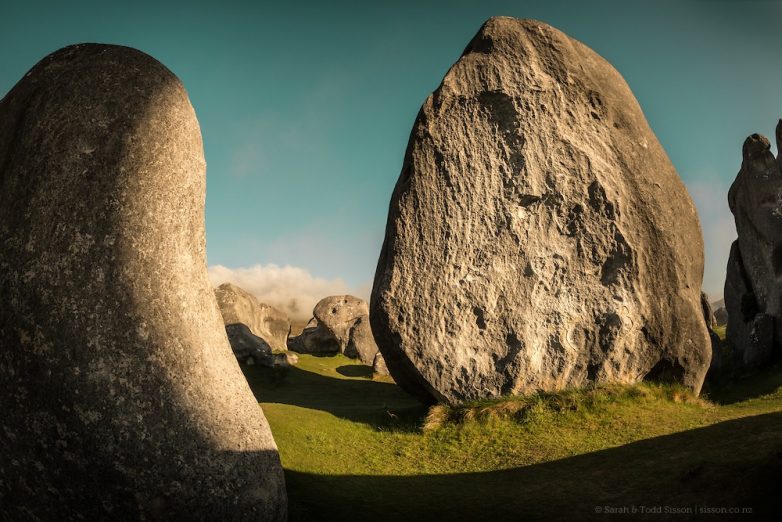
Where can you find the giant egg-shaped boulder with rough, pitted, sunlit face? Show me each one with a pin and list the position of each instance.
(538, 236)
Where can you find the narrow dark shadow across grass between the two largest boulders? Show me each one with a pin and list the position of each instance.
(382, 405)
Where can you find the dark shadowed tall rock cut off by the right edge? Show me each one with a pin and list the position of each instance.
(753, 287)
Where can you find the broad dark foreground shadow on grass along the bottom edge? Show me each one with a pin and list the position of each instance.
(733, 465)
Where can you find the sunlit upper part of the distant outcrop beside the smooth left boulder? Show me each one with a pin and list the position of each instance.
(266, 322)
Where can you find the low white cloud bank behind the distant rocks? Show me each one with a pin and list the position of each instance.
(289, 288)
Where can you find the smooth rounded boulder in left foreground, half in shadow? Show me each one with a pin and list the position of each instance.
(119, 394)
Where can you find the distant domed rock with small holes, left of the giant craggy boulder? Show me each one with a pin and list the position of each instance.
(340, 325)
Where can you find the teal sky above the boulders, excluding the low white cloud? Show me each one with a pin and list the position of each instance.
(306, 107)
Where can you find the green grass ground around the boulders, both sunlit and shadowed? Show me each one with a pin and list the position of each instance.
(358, 448)
